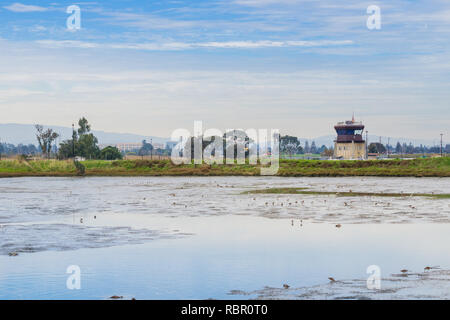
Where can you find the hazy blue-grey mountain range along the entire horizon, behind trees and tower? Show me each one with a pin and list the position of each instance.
(26, 133)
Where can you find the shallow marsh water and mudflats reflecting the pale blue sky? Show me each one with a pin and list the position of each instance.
(205, 237)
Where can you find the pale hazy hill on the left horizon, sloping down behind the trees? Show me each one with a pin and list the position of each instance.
(26, 133)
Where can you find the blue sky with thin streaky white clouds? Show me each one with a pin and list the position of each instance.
(300, 66)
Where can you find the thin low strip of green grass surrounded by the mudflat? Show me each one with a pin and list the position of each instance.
(345, 194)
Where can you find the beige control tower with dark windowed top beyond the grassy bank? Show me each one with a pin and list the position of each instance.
(349, 143)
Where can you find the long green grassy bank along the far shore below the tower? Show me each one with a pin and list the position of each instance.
(430, 167)
